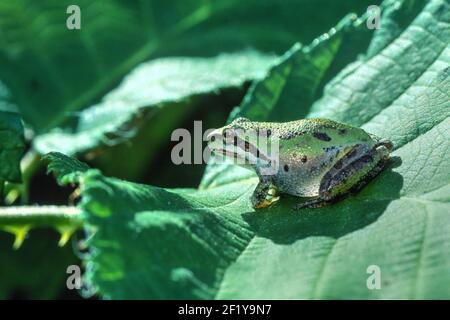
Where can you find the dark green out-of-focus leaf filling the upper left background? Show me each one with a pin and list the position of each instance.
(54, 71)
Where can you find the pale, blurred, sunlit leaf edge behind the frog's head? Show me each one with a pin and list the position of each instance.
(152, 85)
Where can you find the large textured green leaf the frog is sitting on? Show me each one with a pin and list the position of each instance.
(210, 243)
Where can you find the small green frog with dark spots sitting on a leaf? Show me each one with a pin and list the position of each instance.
(319, 160)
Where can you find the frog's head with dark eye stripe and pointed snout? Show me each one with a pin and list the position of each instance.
(238, 141)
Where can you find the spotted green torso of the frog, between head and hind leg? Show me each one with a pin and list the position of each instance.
(309, 149)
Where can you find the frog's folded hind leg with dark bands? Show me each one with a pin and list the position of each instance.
(352, 172)
